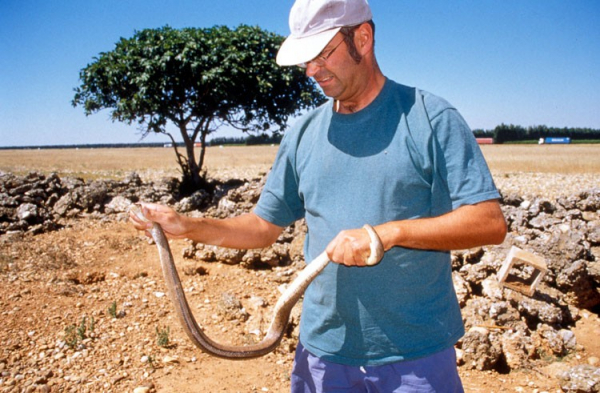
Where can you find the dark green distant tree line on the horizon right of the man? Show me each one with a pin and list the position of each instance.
(514, 133)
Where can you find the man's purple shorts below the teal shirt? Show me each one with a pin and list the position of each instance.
(436, 373)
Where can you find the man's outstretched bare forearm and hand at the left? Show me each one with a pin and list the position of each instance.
(244, 232)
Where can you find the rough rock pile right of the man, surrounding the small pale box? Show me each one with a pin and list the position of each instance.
(506, 329)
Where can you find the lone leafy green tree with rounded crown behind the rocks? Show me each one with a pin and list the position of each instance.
(197, 80)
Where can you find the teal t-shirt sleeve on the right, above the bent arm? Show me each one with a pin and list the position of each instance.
(459, 160)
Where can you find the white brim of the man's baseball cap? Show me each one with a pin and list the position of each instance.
(296, 51)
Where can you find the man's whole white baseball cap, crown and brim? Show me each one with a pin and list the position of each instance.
(313, 23)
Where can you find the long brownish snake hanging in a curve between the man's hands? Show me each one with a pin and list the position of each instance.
(281, 311)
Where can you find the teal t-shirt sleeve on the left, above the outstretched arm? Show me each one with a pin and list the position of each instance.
(280, 202)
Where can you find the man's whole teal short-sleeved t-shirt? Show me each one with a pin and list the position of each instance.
(409, 154)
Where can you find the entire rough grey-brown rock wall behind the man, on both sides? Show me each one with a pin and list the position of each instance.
(505, 329)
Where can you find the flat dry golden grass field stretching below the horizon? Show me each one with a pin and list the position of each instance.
(152, 163)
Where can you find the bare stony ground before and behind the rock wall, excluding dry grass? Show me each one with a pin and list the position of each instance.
(50, 283)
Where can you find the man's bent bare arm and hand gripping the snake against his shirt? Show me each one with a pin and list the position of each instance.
(466, 227)
